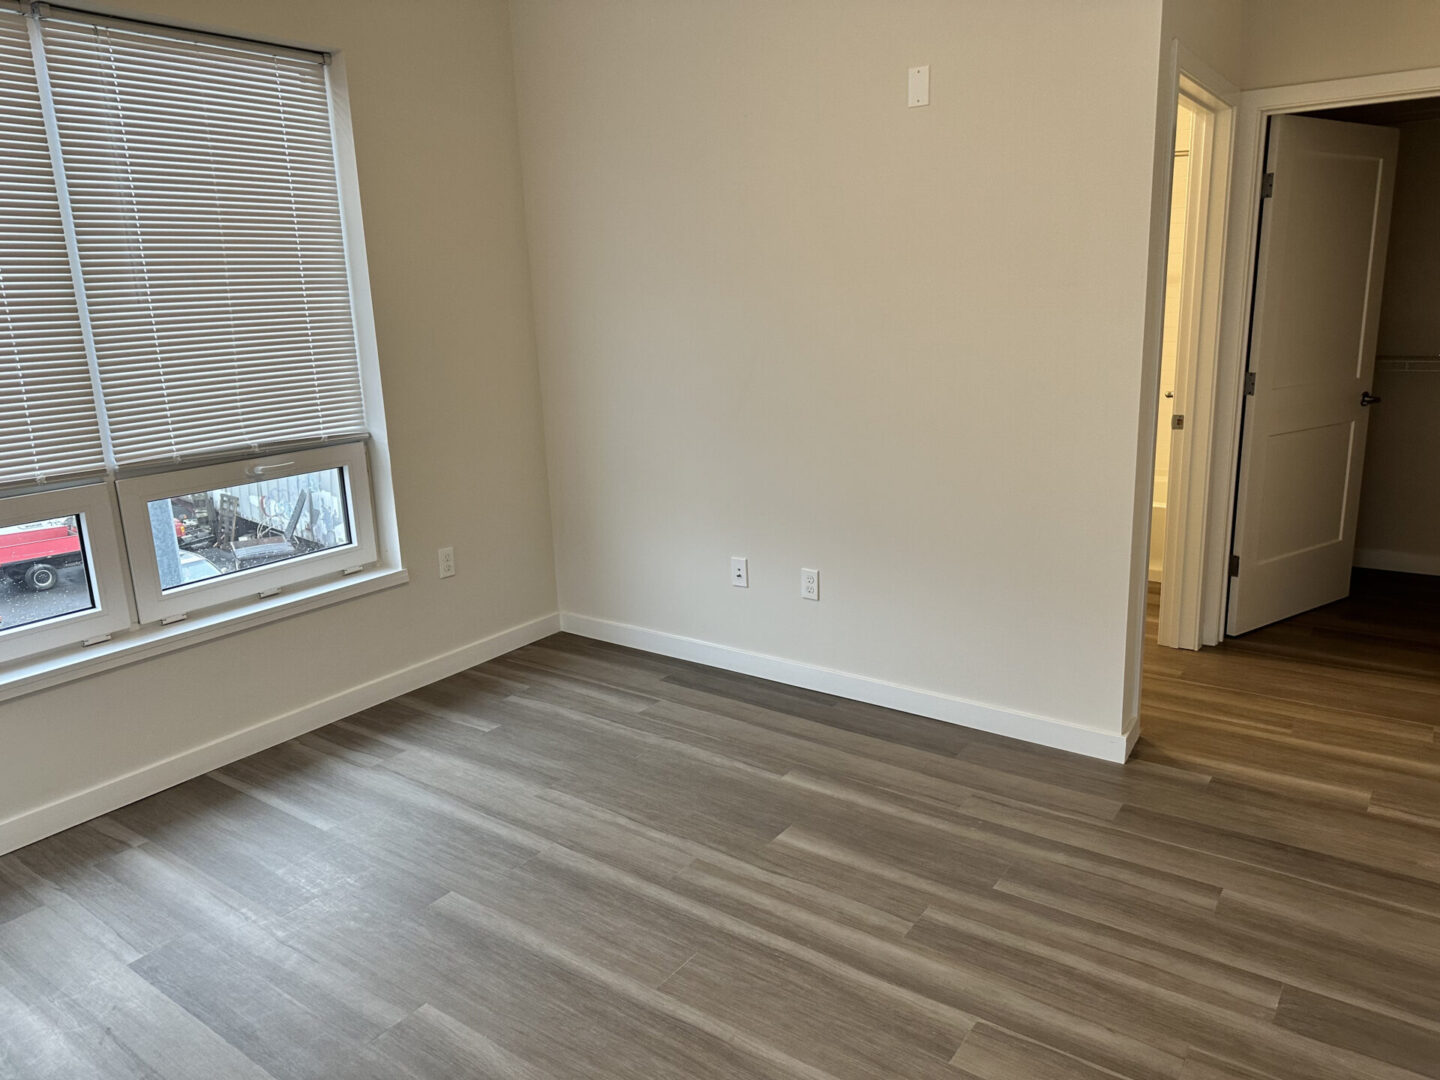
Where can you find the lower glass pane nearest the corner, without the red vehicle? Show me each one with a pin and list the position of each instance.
(225, 531)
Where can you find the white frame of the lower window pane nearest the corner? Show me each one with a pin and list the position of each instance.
(258, 582)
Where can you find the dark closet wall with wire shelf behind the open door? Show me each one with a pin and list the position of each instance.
(1400, 500)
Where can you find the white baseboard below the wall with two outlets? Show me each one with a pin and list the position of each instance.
(1062, 735)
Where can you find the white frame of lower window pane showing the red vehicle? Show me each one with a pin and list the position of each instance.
(106, 568)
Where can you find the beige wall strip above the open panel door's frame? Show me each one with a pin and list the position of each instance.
(1307, 41)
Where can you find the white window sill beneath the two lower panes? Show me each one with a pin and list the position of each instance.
(57, 669)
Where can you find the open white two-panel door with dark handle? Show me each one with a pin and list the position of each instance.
(1313, 354)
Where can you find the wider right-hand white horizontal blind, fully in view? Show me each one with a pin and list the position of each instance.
(202, 184)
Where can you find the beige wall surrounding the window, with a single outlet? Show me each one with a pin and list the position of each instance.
(436, 133)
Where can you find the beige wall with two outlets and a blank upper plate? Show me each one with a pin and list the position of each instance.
(784, 316)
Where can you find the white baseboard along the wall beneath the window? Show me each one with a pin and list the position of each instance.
(73, 810)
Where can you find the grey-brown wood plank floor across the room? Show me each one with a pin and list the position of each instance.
(587, 862)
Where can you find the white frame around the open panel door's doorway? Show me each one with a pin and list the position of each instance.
(1242, 254)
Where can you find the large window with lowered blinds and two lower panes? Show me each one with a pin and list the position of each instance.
(178, 335)
